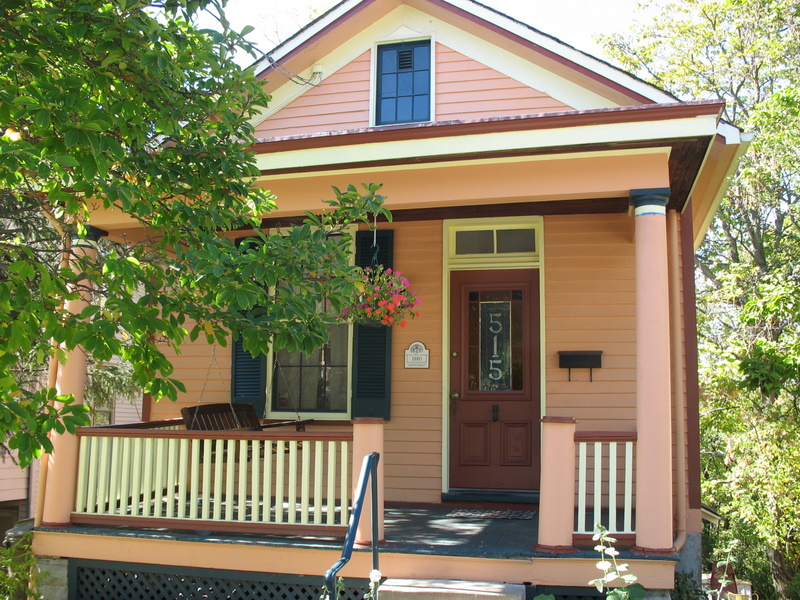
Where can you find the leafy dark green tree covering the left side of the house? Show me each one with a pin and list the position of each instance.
(127, 106)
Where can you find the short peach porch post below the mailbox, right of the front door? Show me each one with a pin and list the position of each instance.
(557, 487)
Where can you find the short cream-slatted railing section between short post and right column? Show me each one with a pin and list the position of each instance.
(605, 481)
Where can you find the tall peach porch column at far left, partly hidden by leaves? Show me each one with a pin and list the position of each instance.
(62, 464)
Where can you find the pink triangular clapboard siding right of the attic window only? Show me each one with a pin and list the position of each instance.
(467, 89)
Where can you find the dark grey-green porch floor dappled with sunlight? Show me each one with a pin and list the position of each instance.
(434, 531)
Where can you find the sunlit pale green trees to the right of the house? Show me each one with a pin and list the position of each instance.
(745, 52)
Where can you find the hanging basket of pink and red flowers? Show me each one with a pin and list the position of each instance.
(385, 299)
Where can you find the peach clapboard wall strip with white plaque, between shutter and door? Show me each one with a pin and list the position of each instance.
(413, 437)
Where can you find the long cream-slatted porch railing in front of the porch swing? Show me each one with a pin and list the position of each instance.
(226, 480)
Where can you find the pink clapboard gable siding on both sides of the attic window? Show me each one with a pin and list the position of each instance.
(465, 89)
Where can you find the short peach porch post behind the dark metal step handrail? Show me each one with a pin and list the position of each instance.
(368, 438)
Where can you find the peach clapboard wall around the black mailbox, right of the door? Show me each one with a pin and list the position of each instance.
(590, 305)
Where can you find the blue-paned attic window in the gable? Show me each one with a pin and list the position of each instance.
(403, 83)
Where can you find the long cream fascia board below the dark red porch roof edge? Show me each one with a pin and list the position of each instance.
(563, 138)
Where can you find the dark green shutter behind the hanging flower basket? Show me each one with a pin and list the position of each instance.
(372, 345)
